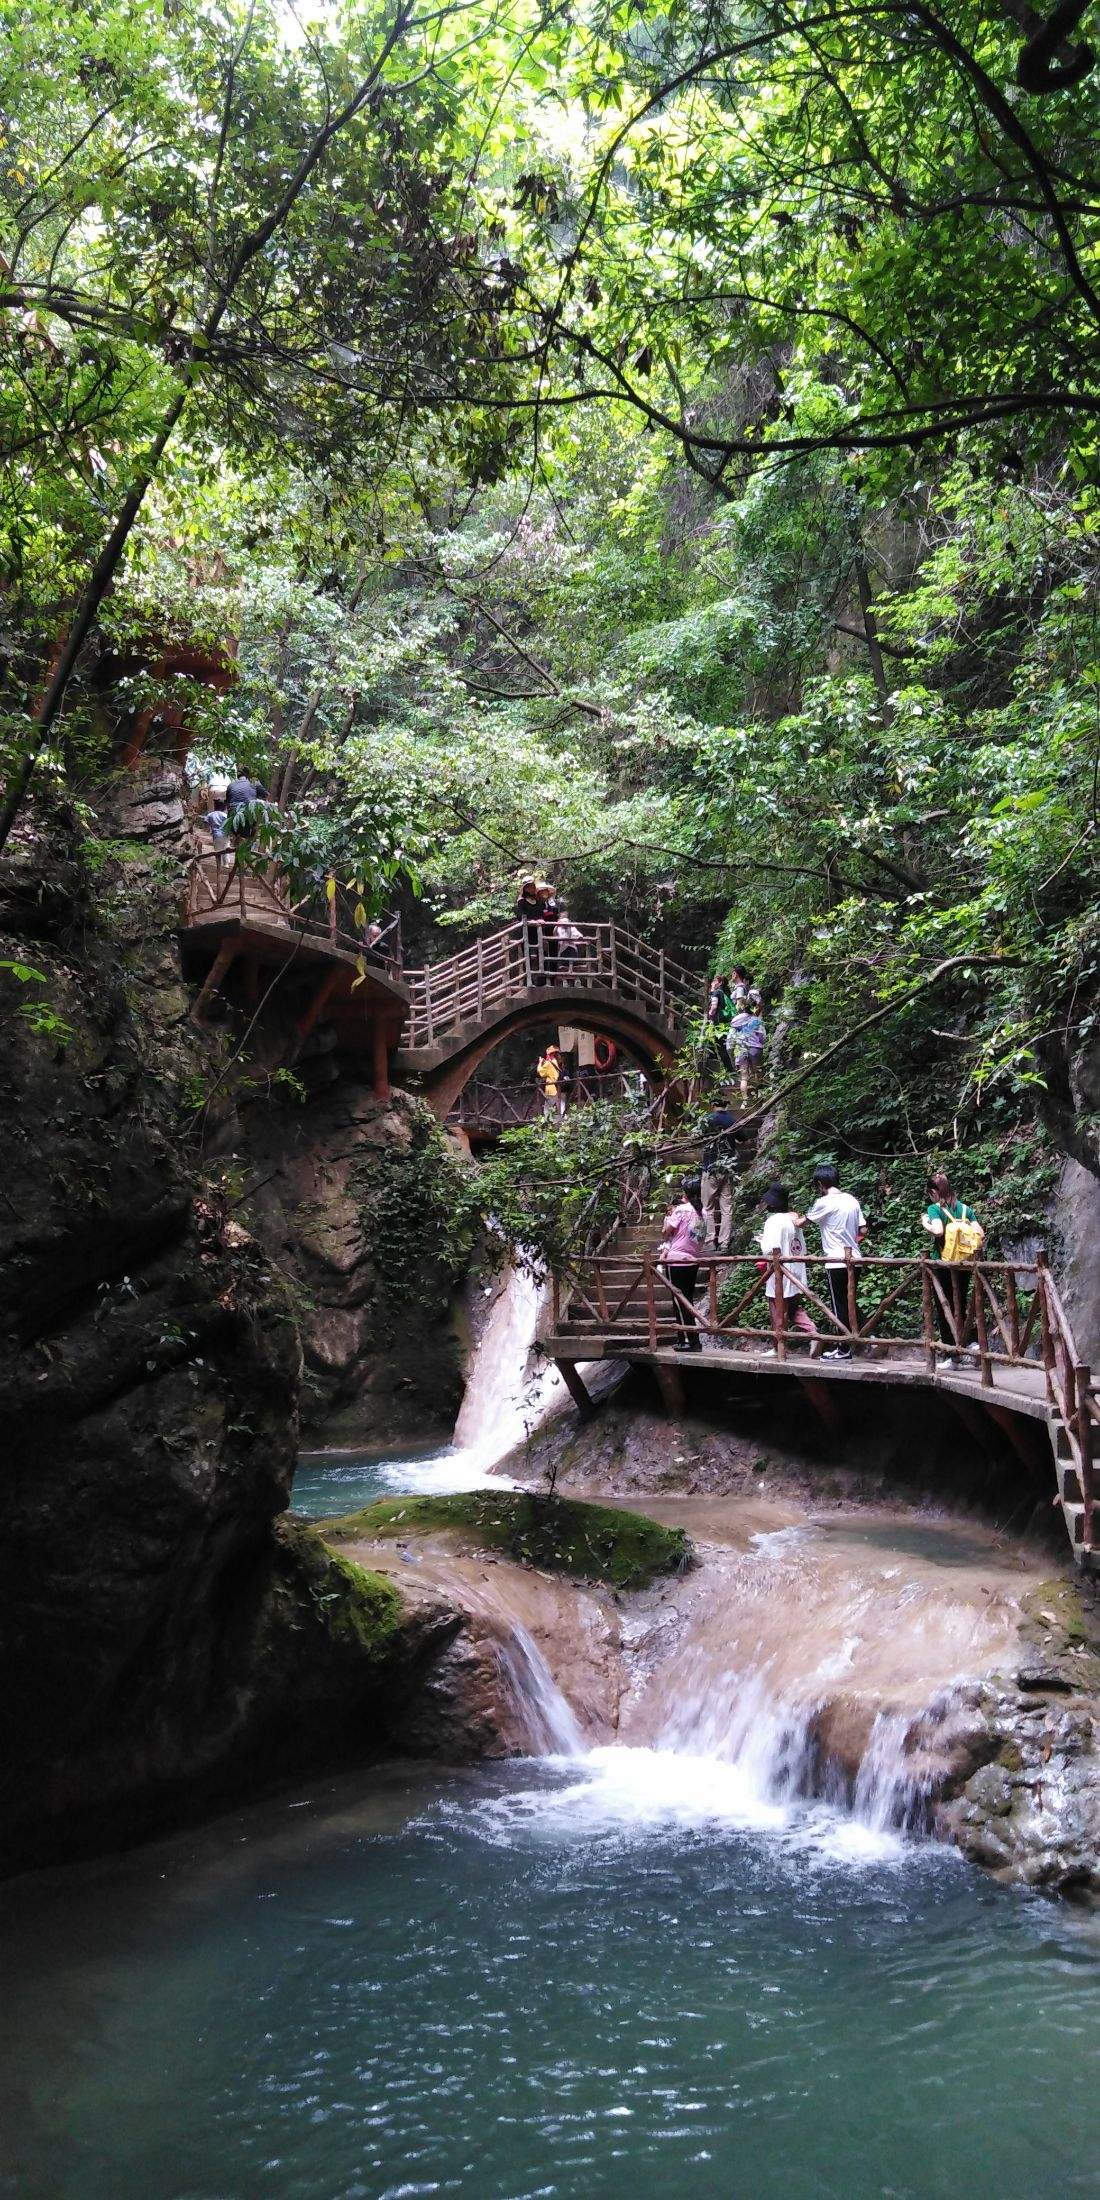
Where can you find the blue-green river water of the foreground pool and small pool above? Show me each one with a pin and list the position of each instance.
(621, 1972)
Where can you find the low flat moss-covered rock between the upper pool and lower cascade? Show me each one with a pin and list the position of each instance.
(597, 1543)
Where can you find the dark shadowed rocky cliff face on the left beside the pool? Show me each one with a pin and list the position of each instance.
(164, 1640)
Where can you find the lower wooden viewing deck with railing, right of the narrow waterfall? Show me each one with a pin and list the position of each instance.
(1013, 1347)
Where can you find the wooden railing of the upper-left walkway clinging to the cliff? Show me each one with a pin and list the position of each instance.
(219, 883)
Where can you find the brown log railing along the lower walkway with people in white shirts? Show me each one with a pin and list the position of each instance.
(995, 1314)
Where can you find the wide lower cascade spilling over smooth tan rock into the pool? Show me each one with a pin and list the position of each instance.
(806, 1695)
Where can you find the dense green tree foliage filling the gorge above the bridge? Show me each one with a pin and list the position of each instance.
(654, 448)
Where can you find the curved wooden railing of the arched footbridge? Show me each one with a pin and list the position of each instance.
(527, 956)
